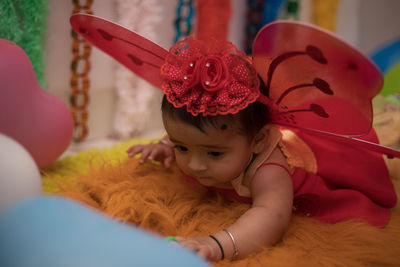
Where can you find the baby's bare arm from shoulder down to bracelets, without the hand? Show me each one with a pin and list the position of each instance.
(266, 221)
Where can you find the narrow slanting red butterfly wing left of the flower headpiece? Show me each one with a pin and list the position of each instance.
(135, 52)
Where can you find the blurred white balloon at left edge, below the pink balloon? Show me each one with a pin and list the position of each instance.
(19, 175)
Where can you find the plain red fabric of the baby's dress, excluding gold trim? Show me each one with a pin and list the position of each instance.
(351, 183)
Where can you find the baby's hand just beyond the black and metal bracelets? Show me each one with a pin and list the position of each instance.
(204, 246)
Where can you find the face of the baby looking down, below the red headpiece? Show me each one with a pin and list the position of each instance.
(214, 157)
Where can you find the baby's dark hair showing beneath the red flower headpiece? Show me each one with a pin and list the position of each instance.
(249, 120)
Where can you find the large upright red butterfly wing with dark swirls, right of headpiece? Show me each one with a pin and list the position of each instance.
(315, 80)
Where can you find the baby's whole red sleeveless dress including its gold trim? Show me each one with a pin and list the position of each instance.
(332, 181)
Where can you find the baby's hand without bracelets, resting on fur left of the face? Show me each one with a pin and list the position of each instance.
(159, 152)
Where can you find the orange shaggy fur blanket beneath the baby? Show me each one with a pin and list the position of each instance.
(158, 199)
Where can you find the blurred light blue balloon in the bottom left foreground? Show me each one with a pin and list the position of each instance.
(52, 231)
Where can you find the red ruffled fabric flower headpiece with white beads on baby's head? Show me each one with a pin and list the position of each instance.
(209, 78)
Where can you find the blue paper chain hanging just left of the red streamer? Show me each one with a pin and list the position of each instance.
(183, 21)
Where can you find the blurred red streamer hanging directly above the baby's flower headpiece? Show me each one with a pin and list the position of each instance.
(213, 19)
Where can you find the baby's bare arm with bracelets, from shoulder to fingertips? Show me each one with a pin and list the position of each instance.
(263, 224)
